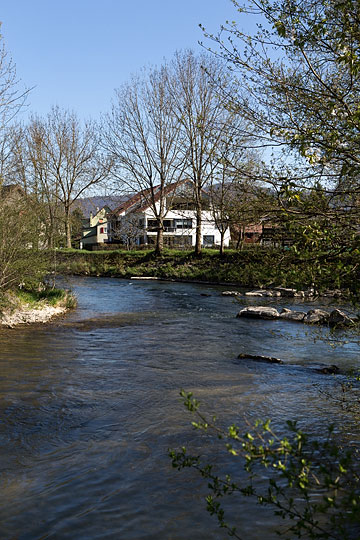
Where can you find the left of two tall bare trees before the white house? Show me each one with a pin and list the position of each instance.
(143, 137)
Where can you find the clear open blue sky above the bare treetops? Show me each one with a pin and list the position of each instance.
(75, 53)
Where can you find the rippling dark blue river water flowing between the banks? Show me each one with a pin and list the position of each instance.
(90, 404)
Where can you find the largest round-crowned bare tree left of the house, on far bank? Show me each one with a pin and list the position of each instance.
(66, 159)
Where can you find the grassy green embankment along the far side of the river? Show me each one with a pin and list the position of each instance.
(252, 267)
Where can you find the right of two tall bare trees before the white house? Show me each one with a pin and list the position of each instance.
(205, 119)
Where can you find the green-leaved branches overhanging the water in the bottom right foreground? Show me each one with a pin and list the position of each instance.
(312, 484)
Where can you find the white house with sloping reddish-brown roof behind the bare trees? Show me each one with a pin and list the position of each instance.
(135, 222)
